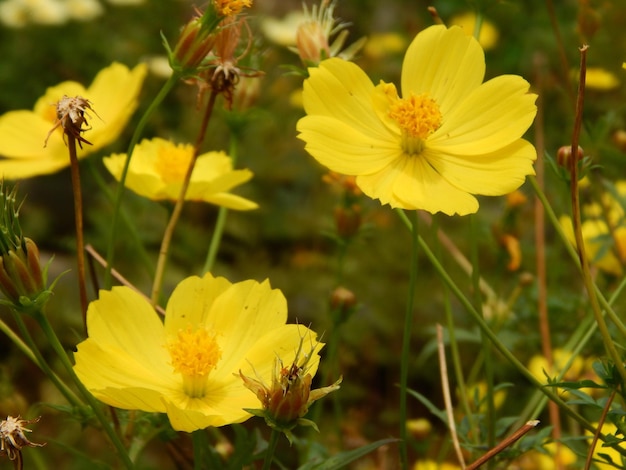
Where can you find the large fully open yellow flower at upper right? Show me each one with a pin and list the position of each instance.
(448, 137)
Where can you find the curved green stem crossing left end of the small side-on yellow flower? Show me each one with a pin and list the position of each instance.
(163, 92)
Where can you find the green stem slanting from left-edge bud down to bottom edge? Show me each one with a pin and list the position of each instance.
(95, 405)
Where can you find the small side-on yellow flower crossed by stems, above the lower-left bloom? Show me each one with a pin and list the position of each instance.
(158, 167)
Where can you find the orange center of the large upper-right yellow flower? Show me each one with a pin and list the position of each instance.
(418, 116)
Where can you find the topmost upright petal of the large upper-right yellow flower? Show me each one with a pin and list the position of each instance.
(445, 63)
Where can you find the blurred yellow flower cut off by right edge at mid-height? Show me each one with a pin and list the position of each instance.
(605, 248)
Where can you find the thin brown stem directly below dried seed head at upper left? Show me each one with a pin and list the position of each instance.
(78, 221)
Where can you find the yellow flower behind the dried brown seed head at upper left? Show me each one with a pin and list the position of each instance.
(113, 96)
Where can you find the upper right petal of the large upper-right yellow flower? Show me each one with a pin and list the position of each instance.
(494, 115)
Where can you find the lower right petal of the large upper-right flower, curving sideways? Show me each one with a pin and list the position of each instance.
(490, 174)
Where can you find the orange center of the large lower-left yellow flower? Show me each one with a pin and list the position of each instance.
(194, 355)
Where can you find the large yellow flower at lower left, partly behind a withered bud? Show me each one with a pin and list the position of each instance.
(188, 366)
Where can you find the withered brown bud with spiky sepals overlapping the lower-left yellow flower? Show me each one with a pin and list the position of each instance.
(287, 400)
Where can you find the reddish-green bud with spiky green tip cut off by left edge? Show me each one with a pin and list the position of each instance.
(22, 280)
